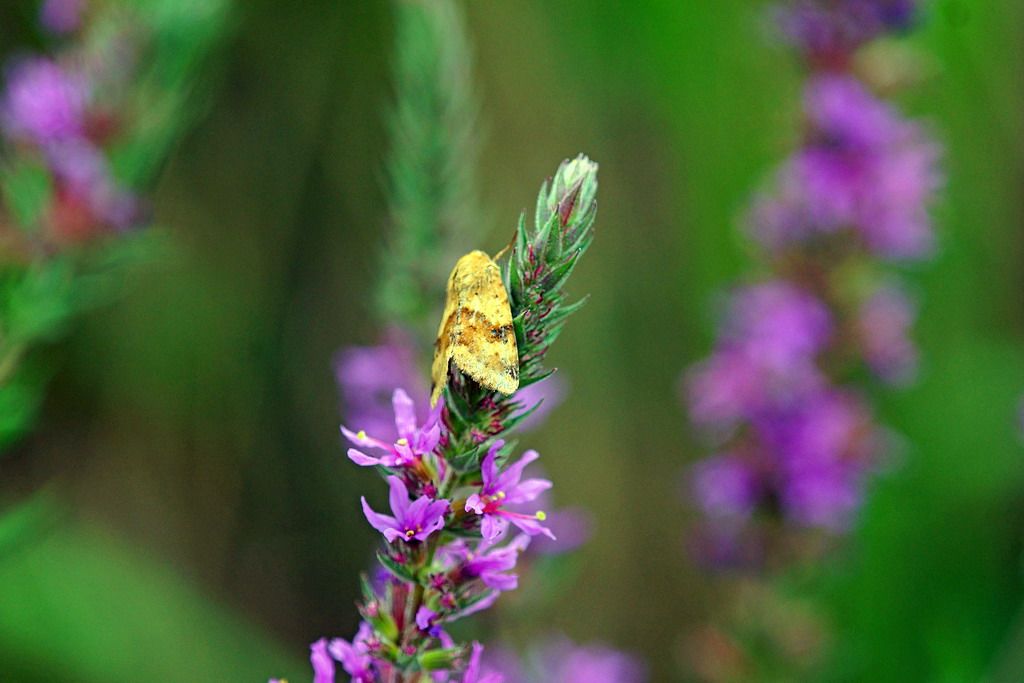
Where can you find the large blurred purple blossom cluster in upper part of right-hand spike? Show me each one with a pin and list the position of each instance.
(864, 169)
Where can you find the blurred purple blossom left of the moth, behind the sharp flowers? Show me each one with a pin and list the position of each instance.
(367, 377)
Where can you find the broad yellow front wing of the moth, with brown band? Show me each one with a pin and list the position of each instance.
(484, 346)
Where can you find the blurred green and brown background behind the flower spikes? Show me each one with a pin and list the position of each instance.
(190, 514)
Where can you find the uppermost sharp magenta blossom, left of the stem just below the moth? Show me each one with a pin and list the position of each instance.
(413, 442)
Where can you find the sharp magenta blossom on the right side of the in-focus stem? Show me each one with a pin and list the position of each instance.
(502, 489)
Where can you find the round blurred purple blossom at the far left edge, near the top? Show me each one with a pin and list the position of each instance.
(45, 104)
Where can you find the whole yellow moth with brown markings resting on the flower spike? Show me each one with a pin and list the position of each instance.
(477, 330)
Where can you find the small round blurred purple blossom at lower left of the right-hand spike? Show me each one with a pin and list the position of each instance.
(727, 486)
